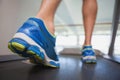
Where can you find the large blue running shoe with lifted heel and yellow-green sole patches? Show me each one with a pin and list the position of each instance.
(34, 41)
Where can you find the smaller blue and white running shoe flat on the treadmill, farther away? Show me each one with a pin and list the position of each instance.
(88, 55)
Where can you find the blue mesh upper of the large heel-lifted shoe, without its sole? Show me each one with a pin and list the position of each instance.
(36, 30)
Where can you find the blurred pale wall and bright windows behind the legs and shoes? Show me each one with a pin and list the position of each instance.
(68, 22)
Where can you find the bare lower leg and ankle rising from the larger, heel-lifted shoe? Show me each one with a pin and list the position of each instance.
(47, 12)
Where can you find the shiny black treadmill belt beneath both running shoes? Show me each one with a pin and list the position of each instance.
(71, 69)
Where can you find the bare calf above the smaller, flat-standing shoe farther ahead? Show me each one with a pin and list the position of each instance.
(89, 10)
